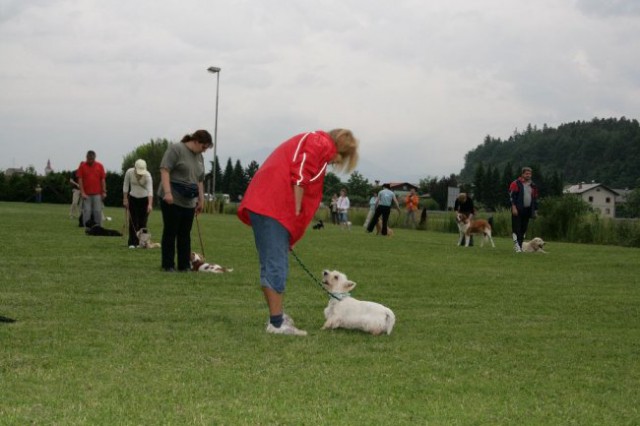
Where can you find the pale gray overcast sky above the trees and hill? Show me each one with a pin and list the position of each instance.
(419, 82)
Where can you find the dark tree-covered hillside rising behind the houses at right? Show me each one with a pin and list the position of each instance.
(606, 151)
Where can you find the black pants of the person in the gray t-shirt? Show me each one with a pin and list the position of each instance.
(176, 233)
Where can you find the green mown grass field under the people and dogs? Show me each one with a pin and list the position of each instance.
(483, 336)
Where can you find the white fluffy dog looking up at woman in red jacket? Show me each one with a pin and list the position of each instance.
(347, 312)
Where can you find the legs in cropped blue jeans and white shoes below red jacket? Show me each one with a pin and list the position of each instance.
(272, 244)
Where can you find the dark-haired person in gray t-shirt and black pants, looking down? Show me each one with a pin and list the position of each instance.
(182, 195)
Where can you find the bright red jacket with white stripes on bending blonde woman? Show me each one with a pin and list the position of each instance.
(302, 161)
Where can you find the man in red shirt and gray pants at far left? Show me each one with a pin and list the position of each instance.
(93, 189)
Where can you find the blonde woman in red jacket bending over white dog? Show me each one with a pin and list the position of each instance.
(281, 201)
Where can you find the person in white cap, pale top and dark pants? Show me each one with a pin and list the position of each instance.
(137, 198)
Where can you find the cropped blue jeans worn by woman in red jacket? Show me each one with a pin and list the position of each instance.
(272, 243)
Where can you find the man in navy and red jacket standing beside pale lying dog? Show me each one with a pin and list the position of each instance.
(524, 205)
